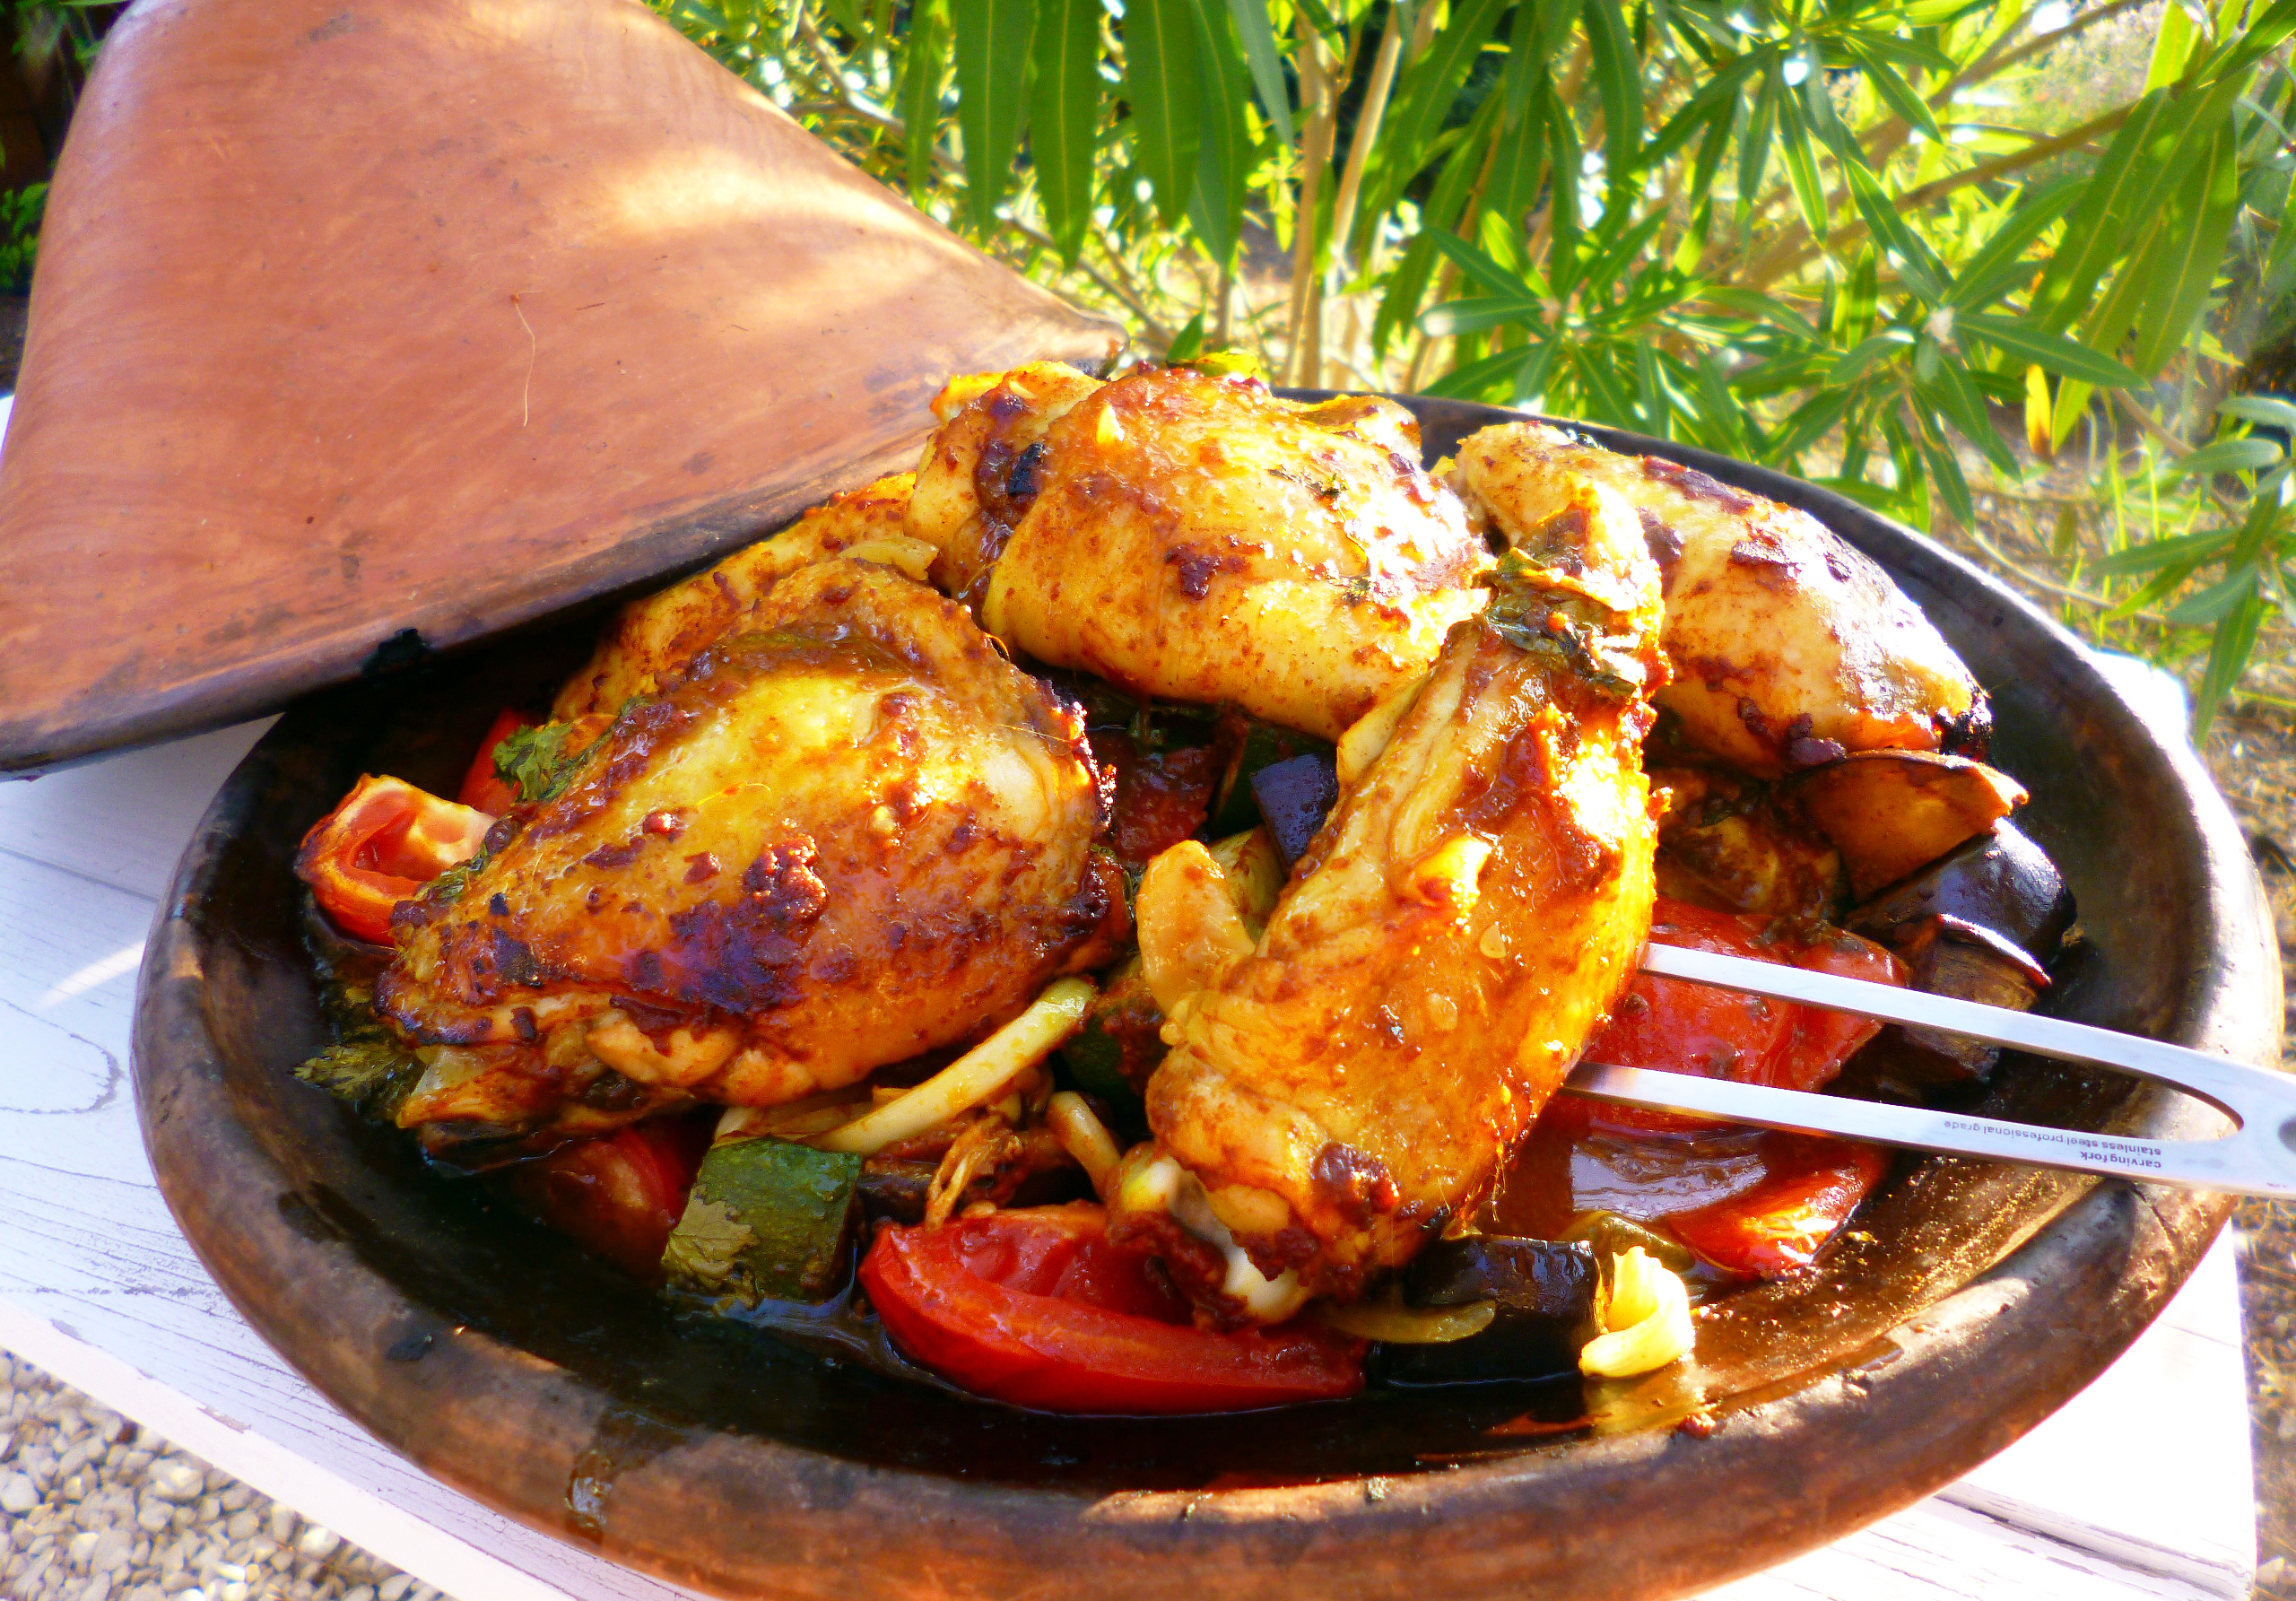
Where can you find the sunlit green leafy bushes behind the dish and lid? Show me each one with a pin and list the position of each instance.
(1843, 238)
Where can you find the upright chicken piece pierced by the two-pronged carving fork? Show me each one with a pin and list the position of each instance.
(1473, 908)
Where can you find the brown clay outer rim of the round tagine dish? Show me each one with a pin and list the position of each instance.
(2010, 1347)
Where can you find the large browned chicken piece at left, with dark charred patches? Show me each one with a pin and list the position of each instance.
(837, 840)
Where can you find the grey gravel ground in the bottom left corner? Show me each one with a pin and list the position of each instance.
(102, 1510)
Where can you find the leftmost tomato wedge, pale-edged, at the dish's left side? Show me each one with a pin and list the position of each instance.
(380, 846)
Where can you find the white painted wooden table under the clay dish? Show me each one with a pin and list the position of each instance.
(2141, 1487)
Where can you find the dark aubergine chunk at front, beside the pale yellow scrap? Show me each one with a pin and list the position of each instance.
(1544, 1297)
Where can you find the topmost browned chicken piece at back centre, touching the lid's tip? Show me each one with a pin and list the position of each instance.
(1200, 539)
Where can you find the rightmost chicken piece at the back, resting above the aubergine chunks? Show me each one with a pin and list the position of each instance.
(1790, 649)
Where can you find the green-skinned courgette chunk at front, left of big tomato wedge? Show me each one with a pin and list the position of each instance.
(768, 1221)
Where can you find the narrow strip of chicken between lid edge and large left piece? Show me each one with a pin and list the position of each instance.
(658, 635)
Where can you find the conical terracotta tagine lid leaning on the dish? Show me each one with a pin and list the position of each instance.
(382, 325)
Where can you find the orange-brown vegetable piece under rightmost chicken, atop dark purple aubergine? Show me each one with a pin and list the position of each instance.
(1895, 812)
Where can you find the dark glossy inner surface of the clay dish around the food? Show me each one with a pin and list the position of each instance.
(2155, 957)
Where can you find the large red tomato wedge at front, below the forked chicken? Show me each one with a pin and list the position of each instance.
(1041, 1310)
